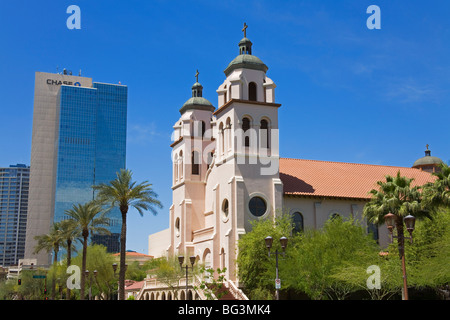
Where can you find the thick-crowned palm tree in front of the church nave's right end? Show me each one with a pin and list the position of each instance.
(396, 197)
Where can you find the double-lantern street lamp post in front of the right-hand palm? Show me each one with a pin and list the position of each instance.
(395, 222)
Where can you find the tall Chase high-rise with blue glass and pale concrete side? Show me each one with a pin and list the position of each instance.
(79, 140)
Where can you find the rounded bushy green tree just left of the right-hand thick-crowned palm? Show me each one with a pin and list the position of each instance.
(319, 254)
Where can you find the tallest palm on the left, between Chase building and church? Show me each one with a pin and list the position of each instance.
(124, 193)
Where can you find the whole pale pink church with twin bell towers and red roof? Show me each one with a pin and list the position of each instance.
(227, 172)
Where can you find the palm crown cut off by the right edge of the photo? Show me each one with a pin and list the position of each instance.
(437, 194)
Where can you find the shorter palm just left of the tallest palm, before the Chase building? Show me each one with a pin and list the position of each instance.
(90, 219)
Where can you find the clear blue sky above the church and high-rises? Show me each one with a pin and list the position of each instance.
(348, 93)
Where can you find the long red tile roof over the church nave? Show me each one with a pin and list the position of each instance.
(339, 179)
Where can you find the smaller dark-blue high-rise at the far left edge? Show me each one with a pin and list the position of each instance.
(14, 183)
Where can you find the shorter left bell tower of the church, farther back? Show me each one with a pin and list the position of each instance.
(192, 140)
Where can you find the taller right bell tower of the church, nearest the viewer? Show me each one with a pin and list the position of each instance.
(244, 179)
